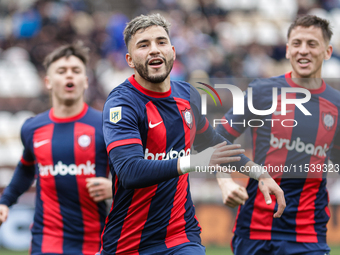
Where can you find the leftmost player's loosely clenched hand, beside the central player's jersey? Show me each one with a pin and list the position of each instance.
(99, 188)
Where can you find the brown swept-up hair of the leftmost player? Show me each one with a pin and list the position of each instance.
(76, 49)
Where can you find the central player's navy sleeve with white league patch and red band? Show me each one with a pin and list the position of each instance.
(124, 145)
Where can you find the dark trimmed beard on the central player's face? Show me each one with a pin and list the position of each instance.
(143, 71)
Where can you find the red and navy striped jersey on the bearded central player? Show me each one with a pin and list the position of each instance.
(145, 132)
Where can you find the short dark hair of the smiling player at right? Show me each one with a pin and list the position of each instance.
(312, 20)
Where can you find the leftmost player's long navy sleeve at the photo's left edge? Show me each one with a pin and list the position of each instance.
(23, 175)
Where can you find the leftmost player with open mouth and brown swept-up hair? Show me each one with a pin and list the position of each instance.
(64, 148)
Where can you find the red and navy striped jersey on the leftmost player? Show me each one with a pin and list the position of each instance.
(62, 153)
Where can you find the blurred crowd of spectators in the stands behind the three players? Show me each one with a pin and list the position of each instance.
(213, 38)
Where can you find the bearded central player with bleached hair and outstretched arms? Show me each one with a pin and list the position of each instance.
(149, 125)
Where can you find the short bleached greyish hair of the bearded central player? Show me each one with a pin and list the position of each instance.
(143, 22)
